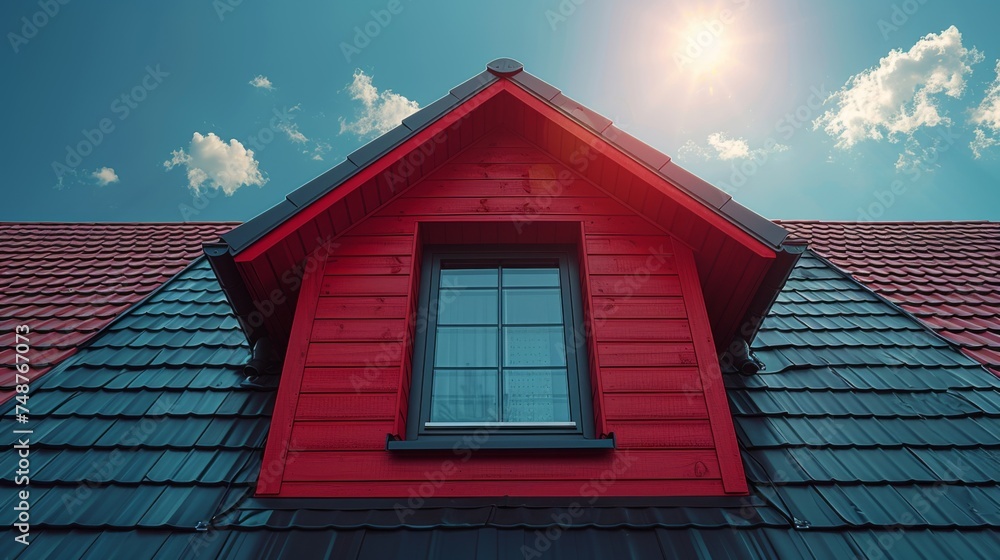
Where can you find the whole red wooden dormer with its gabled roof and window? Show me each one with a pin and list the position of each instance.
(504, 296)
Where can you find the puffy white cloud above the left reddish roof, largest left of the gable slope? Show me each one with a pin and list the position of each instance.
(220, 165)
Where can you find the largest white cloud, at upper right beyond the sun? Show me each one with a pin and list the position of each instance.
(901, 94)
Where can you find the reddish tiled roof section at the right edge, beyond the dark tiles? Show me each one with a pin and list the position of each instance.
(945, 273)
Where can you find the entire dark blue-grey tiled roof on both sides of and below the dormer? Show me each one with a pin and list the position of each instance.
(865, 435)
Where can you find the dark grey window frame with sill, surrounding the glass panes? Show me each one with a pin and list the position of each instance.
(496, 435)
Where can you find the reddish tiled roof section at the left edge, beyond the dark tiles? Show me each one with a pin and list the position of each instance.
(68, 281)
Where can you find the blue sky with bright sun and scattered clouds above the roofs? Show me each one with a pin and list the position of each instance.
(214, 110)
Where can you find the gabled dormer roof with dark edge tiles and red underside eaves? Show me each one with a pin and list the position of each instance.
(253, 259)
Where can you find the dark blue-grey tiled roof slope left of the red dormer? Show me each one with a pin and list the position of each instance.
(148, 426)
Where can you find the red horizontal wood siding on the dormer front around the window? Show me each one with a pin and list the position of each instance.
(656, 382)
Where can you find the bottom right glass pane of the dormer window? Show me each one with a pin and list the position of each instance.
(538, 395)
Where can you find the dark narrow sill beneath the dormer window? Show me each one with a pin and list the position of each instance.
(460, 443)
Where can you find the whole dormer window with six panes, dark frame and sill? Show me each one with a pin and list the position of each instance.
(499, 347)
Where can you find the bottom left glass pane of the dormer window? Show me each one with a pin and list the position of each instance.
(464, 396)
